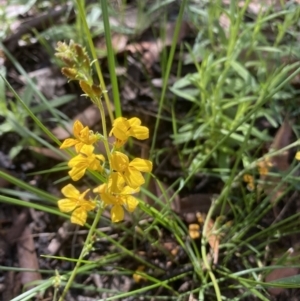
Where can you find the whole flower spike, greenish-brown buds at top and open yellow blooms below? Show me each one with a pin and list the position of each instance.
(122, 177)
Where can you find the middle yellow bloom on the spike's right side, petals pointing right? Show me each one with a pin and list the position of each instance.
(131, 171)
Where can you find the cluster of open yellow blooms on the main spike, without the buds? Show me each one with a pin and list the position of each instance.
(124, 177)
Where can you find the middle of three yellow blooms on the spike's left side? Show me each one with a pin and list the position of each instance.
(85, 159)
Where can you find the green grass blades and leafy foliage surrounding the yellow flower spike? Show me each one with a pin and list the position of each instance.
(240, 75)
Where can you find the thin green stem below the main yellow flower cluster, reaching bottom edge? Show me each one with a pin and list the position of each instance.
(82, 254)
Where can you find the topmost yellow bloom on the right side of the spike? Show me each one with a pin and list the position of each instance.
(124, 128)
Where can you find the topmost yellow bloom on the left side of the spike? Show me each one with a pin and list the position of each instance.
(83, 136)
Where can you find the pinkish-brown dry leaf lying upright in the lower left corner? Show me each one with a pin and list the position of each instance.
(27, 257)
